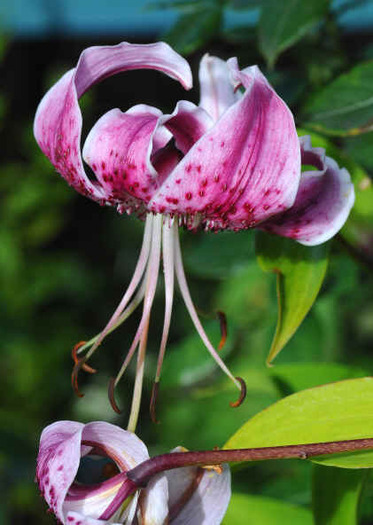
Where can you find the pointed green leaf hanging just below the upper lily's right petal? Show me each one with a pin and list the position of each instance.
(300, 272)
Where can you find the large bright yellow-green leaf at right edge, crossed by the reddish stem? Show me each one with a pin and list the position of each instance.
(335, 412)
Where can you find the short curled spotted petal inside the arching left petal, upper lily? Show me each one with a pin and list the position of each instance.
(118, 150)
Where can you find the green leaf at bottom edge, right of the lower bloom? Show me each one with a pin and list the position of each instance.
(246, 510)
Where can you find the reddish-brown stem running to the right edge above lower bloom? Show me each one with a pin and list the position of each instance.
(141, 474)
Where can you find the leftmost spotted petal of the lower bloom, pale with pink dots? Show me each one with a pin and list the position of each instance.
(58, 462)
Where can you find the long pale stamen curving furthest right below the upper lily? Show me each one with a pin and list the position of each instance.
(180, 274)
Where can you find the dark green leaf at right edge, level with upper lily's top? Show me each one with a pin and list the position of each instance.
(344, 107)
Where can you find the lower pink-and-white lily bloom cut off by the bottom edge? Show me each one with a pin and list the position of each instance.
(181, 496)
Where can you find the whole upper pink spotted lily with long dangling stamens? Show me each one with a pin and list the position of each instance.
(233, 162)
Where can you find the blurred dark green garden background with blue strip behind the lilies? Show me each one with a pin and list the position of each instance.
(65, 262)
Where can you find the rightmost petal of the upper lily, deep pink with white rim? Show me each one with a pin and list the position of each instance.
(323, 202)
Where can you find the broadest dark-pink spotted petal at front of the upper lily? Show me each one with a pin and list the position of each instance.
(243, 170)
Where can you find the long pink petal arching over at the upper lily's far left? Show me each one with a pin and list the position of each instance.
(58, 120)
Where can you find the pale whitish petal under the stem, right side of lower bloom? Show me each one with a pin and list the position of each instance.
(198, 495)
